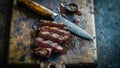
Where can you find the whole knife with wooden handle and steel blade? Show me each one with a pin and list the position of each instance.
(36, 7)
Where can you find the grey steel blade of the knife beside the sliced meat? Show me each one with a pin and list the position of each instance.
(74, 28)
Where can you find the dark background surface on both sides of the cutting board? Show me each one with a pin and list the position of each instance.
(107, 20)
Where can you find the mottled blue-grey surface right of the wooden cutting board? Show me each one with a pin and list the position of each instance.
(107, 20)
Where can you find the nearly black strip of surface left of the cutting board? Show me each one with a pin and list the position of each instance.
(5, 12)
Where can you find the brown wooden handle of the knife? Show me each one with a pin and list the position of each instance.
(36, 7)
